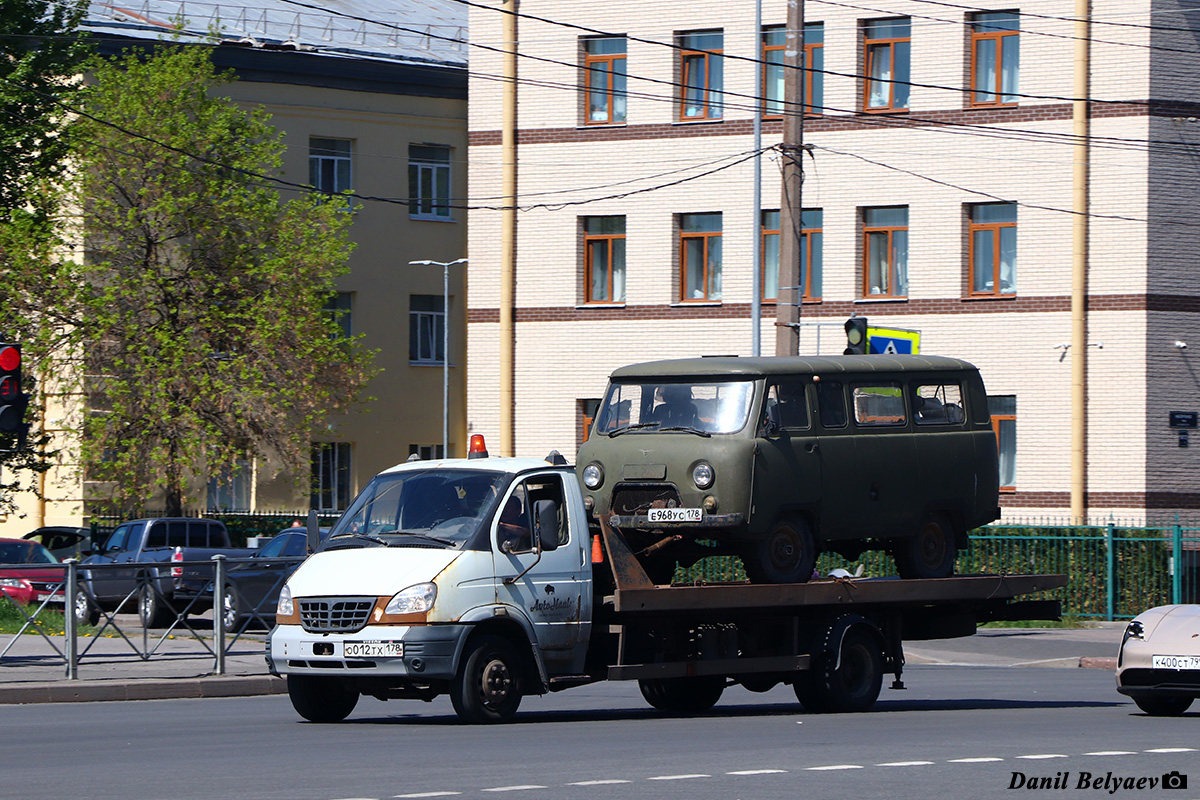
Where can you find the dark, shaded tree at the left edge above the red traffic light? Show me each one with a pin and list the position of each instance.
(41, 53)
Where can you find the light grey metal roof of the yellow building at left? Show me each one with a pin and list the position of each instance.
(416, 32)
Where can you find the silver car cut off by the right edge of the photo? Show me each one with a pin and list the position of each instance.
(1160, 660)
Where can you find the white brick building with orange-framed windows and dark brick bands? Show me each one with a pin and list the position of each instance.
(938, 197)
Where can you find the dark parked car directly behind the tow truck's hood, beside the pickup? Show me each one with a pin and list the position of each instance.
(254, 587)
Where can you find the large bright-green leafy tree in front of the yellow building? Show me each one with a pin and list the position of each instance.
(200, 309)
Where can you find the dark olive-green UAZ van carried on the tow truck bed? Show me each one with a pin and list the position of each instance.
(781, 459)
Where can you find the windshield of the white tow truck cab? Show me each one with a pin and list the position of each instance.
(436, 507)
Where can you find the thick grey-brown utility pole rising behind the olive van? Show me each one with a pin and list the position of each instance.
(788, 309)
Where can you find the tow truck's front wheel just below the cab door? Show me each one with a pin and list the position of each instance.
(488, 688)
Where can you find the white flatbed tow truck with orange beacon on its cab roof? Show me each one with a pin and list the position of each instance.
(489, 580)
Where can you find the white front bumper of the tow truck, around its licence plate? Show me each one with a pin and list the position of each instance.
(427, 652)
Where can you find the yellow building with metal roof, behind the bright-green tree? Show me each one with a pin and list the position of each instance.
(365, 109)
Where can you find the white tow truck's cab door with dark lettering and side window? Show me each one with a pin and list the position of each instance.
(550, 593)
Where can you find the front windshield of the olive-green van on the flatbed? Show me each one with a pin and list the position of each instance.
(701, 408)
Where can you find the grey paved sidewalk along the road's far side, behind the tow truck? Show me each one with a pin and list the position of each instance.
(183, 669)
